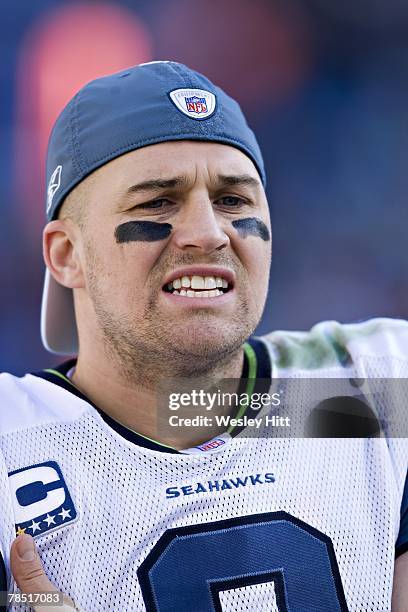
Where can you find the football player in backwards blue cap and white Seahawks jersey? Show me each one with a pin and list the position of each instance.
(158, 249)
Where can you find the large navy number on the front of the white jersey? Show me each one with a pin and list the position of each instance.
(189, 566)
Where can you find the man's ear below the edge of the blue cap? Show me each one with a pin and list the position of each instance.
(61, 251)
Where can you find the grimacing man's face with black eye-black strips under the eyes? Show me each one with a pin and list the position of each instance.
(177, 213)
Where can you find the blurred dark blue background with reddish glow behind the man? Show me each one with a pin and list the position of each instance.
(324, 86)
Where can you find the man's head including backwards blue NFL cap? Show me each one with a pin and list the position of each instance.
(136, 215)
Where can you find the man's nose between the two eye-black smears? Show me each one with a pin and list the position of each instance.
(198, 227)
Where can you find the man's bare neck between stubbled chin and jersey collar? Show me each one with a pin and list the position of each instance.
(142, 405)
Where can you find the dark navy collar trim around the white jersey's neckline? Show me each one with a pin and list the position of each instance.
(263, 372)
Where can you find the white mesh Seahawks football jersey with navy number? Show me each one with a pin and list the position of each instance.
(262, 523)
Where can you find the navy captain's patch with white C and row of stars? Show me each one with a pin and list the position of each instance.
(41, 499)
